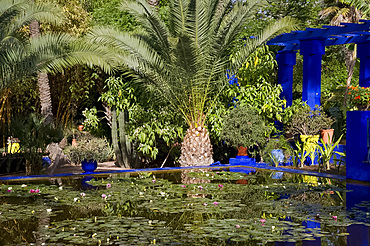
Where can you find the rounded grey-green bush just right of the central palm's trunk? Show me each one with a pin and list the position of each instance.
(244, 127)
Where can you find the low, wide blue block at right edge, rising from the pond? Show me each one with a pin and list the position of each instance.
(358, 145)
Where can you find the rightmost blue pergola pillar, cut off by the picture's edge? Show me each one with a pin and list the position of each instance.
(363, 52)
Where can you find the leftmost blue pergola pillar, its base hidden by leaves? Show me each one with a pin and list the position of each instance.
(286, 60)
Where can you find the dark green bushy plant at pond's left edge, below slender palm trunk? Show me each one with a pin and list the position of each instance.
(34, 136)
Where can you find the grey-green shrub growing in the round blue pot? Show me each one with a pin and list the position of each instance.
(89, 148)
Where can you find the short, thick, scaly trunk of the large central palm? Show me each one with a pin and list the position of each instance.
(196, 148)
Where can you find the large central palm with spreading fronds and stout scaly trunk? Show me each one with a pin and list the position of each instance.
(185, 62)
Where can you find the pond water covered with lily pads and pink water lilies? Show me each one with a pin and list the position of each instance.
(200, 207)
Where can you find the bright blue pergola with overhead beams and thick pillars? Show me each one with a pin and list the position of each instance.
(311, 44)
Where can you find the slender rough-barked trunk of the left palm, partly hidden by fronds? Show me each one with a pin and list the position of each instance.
(42, 81)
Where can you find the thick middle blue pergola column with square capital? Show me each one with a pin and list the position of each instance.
(312, 51)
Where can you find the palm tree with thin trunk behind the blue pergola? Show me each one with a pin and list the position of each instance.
(342, 11)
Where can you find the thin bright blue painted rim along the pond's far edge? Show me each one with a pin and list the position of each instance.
(238, 164)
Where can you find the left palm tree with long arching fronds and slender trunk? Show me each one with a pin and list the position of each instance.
(20, 57)
